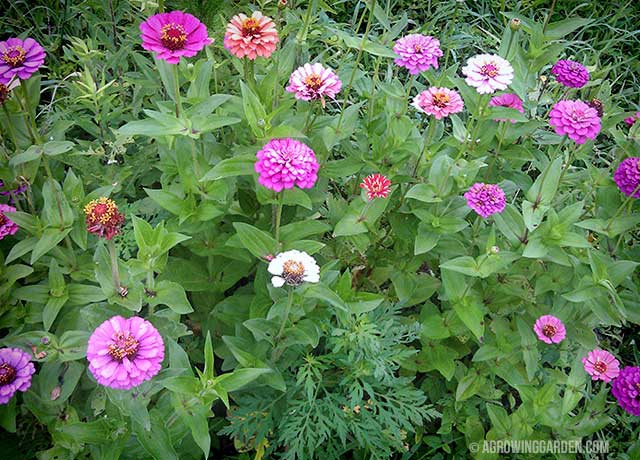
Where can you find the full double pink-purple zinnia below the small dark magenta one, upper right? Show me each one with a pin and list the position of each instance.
(575, 119)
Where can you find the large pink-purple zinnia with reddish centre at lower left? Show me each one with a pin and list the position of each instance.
(123, 353)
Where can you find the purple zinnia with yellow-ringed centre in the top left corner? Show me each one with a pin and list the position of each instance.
(21, 58)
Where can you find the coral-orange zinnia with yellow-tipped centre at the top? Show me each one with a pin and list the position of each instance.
(251, 36)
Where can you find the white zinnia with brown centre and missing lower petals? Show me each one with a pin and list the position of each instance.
(293, 268)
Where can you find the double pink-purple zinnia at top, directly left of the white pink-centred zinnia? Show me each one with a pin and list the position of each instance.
(417, 53)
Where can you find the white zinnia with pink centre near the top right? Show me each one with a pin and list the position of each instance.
(488, 73)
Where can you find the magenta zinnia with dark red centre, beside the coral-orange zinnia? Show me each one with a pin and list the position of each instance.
(172, 35)
